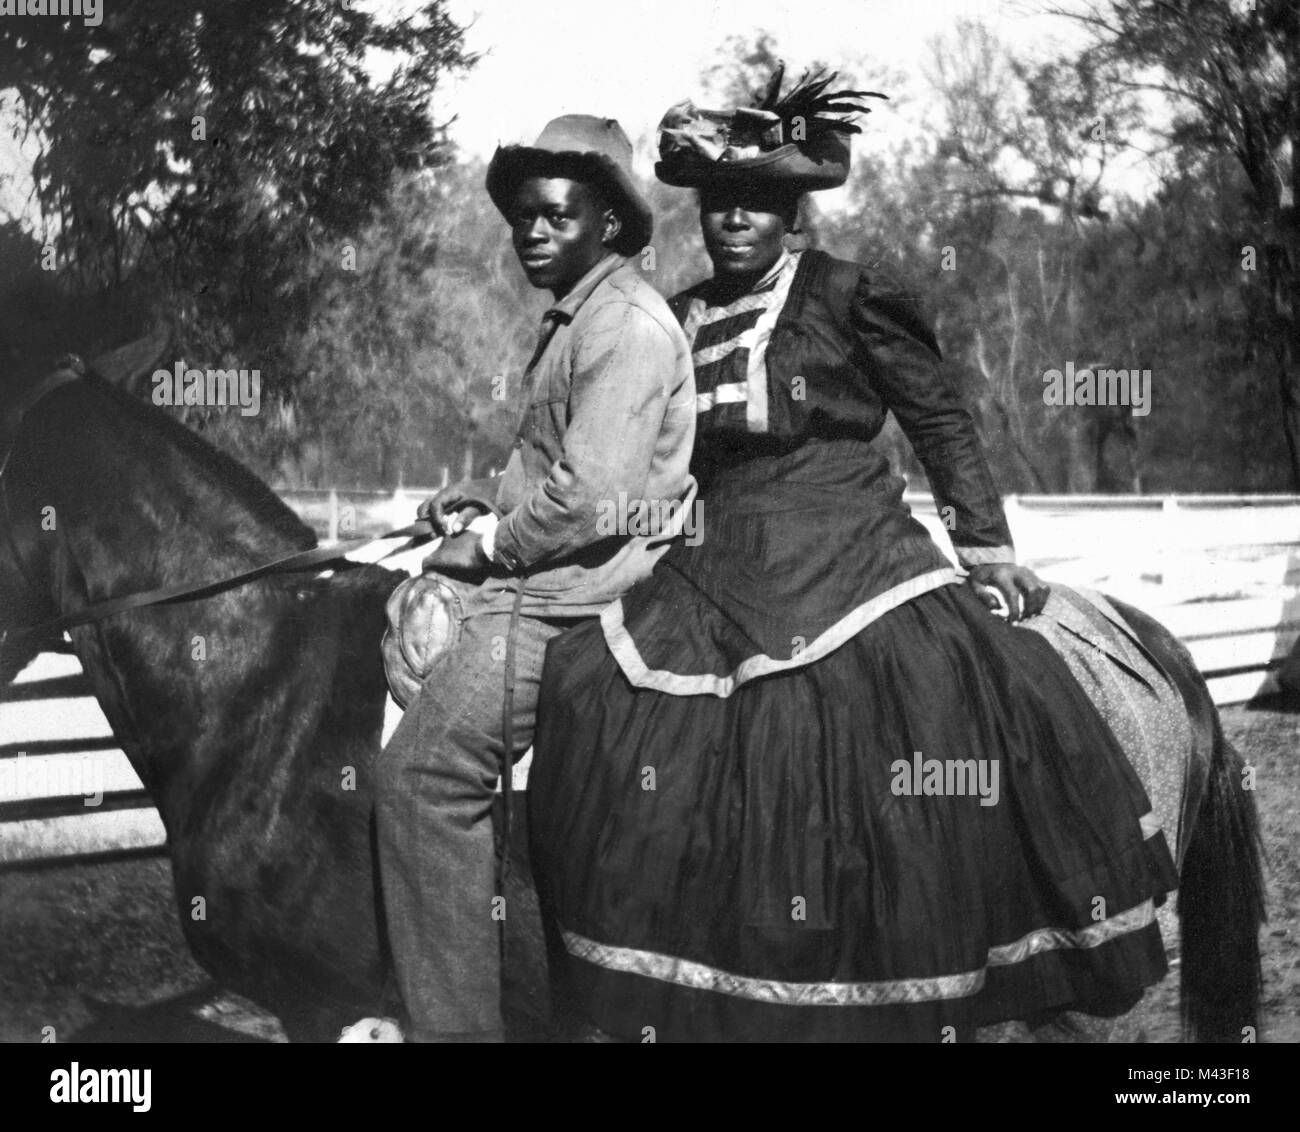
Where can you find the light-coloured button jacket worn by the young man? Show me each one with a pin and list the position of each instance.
(609, 427)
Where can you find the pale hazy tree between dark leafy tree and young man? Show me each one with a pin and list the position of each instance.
(424, 326)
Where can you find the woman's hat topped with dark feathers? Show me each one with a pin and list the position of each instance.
(800, 141)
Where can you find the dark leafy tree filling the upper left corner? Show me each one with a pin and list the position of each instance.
(202, 151)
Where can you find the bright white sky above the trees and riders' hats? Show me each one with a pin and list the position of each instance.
(634, 59)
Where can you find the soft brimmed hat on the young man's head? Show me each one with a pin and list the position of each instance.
(582, 148)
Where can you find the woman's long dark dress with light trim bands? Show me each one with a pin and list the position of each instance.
(801, 784)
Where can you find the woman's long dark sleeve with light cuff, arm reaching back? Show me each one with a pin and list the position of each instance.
(898, 350)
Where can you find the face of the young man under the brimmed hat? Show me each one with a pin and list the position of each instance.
(560, 229)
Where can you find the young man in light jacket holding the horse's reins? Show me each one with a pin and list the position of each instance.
(608, 420)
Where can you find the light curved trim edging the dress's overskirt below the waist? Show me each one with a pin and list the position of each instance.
(630, 660)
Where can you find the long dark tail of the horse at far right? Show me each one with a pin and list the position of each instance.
(1221, 907)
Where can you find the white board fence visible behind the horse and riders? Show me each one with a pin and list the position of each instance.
(1223, 572)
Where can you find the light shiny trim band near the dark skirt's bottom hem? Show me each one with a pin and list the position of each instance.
(891, 992)
